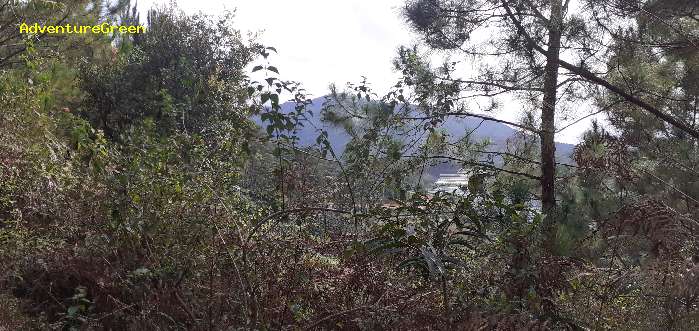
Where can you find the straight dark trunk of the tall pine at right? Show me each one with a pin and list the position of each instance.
(548, 111)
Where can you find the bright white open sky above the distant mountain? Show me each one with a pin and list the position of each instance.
(330, 41)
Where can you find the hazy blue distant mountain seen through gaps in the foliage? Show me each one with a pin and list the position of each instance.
(456, 127)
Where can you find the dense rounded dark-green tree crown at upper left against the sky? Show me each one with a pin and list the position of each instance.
(186, 74)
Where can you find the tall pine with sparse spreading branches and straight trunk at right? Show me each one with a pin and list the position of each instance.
(551, 55)
